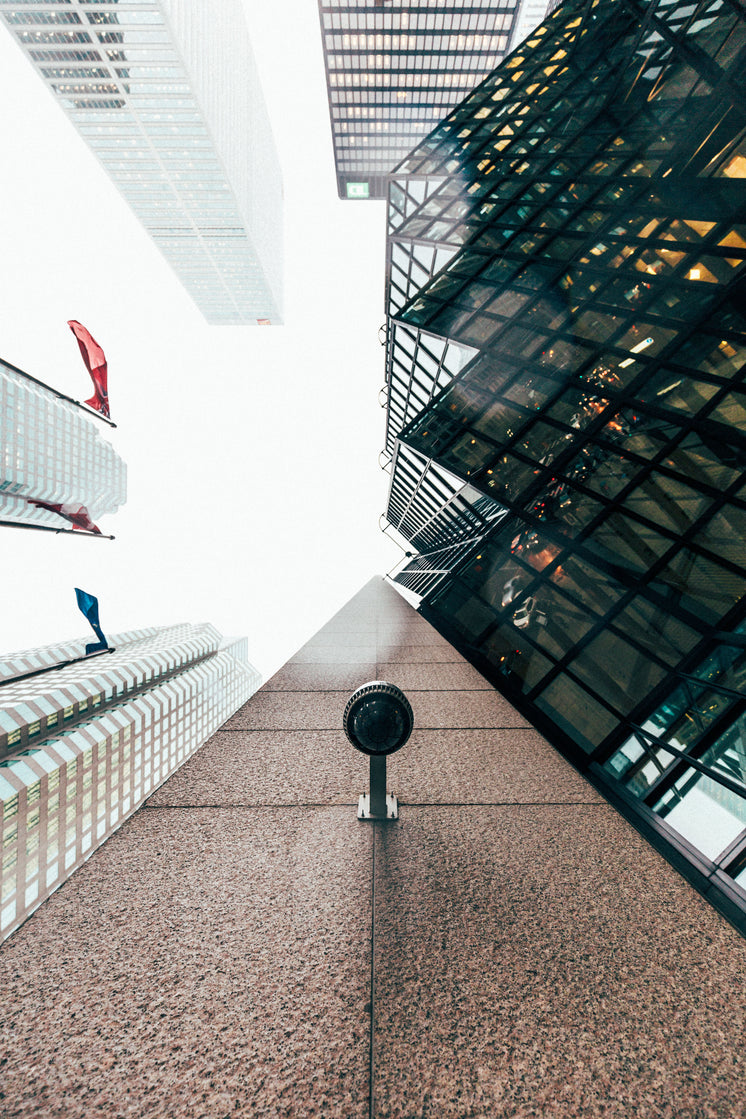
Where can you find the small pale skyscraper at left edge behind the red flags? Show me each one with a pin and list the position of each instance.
(52, 454)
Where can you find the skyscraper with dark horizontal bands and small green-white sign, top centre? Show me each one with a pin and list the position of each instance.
(394, 70)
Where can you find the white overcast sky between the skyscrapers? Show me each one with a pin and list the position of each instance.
(254, 488)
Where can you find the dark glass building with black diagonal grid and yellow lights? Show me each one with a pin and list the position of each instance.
(565, 341)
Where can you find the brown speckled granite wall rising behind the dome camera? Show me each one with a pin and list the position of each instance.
(532, 956)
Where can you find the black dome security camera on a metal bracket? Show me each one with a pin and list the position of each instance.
(379, 721)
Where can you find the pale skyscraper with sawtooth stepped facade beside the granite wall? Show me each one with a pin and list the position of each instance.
(82, 747)
